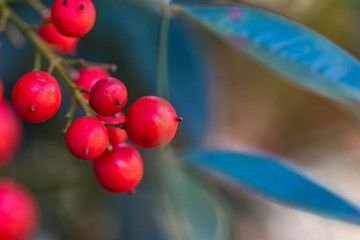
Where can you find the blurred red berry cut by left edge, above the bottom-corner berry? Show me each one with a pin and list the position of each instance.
(10, 132)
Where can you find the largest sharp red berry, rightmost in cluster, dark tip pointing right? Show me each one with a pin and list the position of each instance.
(151, 122)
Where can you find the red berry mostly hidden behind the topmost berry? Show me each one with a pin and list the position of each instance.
(52, 36)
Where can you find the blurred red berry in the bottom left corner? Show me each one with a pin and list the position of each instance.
(18, 211)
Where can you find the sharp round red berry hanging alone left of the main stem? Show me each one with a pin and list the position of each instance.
(36, 96)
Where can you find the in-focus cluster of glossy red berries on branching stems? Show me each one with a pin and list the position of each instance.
(150, 121)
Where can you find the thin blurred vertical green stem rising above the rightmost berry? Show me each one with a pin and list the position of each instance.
(162, 52)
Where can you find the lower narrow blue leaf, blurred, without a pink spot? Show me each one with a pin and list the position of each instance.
(278, 180)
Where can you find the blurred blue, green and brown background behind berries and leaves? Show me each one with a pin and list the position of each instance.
(226, 100)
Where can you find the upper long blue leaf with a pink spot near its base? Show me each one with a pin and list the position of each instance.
(285, 46)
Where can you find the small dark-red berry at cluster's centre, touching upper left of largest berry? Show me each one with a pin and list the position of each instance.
(108, 96)
